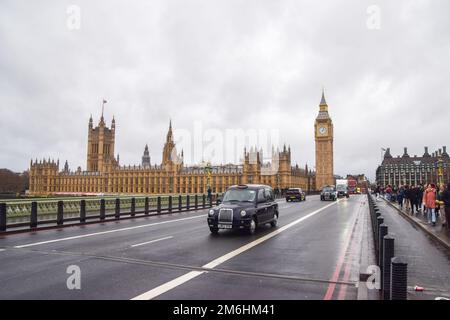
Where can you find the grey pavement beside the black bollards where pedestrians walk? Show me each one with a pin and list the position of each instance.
(428, 259)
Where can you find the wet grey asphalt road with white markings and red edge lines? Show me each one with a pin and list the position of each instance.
(175, 257)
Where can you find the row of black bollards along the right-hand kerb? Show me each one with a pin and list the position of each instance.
(394, 270)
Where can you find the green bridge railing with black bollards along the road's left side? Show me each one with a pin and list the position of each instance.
(50, 213)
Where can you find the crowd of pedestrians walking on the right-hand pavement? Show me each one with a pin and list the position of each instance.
(432, 199)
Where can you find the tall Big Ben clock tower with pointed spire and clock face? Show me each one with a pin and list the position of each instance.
(323, 131)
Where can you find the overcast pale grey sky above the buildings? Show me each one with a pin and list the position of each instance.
(223, 65)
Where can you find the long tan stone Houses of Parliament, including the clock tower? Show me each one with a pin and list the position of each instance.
(105, 175)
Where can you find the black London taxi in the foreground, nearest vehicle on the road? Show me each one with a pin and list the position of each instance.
(244, 207)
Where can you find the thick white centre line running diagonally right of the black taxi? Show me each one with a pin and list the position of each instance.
(153, 293)
